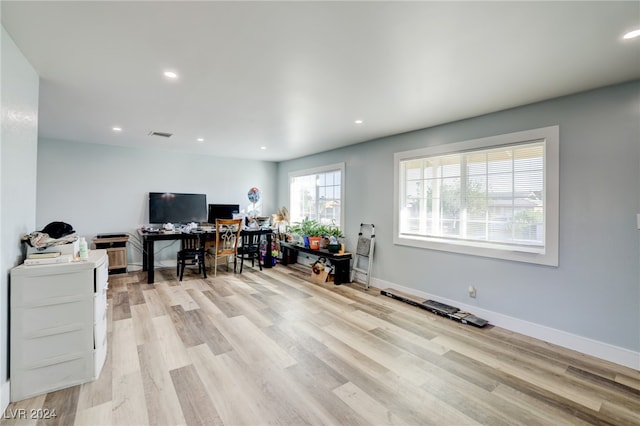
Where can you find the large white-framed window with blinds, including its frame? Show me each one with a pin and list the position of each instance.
(495, 197)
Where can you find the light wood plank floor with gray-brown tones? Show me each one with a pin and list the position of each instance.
(270, 347)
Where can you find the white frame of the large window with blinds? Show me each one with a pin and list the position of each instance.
(547, 255)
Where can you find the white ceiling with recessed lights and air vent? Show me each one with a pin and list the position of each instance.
(293, 76)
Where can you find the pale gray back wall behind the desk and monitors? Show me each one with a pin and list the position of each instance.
(104, 189)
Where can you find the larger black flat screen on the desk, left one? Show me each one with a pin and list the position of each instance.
(171, 207)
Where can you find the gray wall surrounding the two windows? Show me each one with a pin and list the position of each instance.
(595, 291)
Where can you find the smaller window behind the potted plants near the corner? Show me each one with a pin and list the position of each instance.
(317, 194)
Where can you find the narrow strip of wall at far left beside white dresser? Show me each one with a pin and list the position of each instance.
(18, 147)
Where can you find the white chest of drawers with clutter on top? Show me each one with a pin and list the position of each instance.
(58, 325)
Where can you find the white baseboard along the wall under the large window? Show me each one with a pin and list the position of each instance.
(608, 352)
